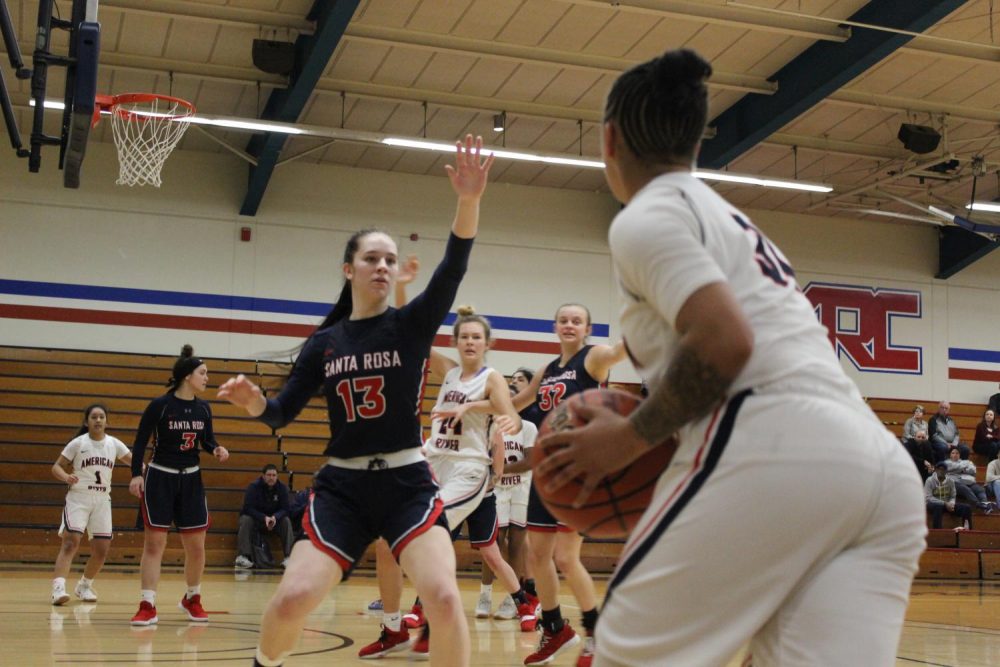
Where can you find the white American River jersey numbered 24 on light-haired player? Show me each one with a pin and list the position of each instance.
(467, 439)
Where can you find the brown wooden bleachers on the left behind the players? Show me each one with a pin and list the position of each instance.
(43, 393)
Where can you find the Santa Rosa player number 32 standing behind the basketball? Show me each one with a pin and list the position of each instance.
(580, 366)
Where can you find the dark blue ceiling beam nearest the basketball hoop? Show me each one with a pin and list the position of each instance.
(286, 104)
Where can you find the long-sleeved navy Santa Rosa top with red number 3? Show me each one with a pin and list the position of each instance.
(178, 427)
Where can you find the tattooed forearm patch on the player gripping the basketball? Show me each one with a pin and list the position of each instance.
(688, 391)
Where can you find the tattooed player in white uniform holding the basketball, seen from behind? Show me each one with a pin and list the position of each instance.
(738, 366)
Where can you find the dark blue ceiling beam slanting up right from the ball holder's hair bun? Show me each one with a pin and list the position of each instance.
(817, 73)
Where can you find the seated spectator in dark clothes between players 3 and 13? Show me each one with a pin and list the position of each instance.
(265, 510)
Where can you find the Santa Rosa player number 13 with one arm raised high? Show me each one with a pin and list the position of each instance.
(369, 359)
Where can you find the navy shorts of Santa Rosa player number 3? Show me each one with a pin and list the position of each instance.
(176, 497)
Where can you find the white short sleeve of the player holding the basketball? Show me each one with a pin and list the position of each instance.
(660, 257)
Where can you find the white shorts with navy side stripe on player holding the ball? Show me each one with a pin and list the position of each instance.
(793, 522)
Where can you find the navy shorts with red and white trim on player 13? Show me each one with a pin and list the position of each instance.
(348, 509)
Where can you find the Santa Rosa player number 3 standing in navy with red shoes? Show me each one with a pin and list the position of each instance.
(171, 492)
